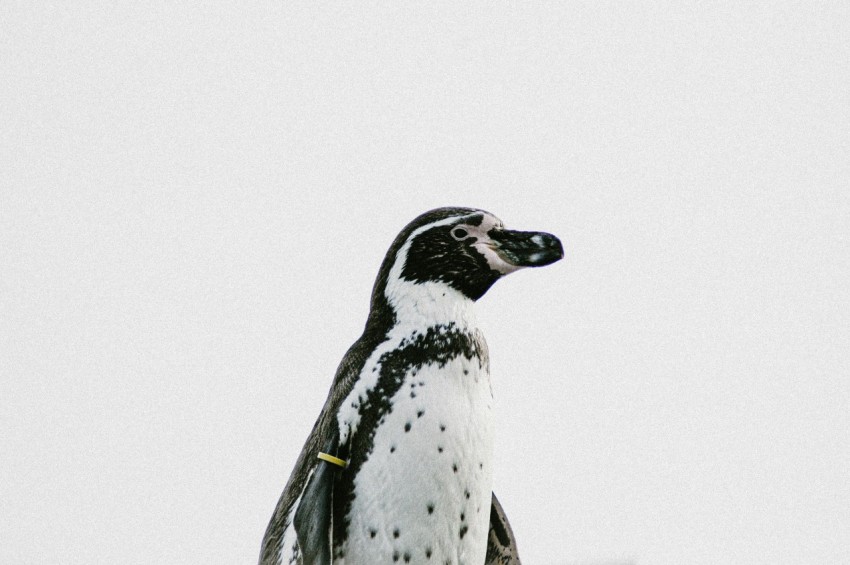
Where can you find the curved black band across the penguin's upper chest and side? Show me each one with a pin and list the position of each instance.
(438, 345)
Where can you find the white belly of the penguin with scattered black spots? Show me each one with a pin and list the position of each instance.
(424, 493)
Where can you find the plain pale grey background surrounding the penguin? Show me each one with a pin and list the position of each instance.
(195, 201)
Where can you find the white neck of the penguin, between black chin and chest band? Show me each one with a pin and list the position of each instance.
(429, 304)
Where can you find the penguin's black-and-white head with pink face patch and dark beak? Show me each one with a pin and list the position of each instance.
(462, 250)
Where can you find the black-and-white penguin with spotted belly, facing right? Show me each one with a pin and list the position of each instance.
(398, 467)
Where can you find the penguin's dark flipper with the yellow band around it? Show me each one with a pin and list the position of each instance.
(313, 519)
